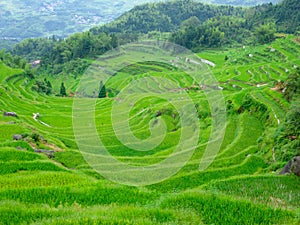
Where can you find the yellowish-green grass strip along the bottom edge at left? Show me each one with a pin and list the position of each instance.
(112, 214)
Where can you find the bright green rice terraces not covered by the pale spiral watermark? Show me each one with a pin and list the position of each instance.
(239, 187)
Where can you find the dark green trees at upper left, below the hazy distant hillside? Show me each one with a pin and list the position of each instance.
(54, 51)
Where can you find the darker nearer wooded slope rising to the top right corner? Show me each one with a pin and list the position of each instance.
(256, 25)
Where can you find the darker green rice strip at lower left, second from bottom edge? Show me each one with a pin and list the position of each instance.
(88, 195)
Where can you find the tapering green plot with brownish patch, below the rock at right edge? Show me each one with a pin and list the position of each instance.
(271, 190)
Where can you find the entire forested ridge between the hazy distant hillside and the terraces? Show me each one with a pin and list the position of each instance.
(188, 23)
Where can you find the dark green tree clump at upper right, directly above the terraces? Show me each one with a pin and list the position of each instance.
(220, 31)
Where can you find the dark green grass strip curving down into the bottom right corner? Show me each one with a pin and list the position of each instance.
(216, 209)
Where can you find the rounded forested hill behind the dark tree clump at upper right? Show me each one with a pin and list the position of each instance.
(169, 16)
